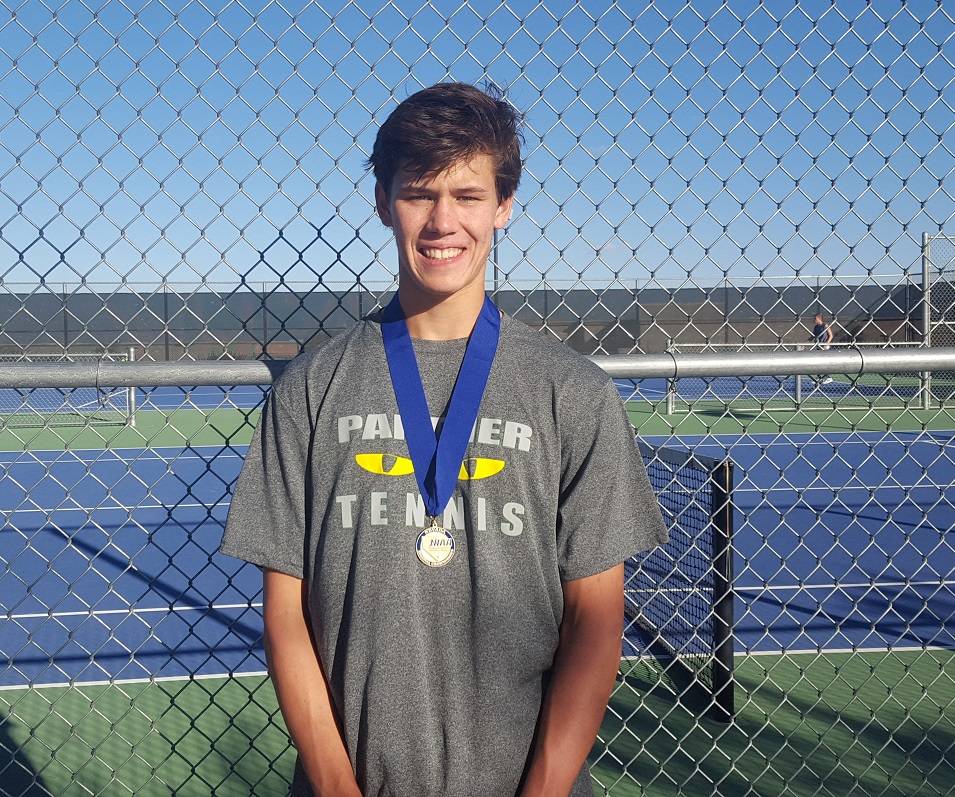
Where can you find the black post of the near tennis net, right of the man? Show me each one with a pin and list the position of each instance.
(723, 707)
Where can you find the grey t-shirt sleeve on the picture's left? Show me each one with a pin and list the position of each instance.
(266, 522)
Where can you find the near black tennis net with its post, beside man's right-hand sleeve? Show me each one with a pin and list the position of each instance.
(680, 594)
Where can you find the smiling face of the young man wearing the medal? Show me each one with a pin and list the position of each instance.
(444, 228)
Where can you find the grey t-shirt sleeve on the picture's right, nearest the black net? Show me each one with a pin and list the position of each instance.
(607, 511)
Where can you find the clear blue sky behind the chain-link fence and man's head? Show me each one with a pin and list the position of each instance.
(186, 141)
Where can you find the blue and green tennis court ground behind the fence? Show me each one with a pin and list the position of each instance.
(112, 585)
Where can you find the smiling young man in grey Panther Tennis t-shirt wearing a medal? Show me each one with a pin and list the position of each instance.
(443, 611)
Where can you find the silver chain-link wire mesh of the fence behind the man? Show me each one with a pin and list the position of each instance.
(186, 181)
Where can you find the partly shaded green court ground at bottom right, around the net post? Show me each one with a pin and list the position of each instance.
(790, 734)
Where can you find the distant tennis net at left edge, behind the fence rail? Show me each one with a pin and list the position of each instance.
(47, 406)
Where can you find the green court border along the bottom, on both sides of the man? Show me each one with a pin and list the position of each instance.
(893, 736)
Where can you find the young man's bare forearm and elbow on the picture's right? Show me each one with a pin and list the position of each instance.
(586, 664)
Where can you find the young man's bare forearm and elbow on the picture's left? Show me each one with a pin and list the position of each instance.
(302, 689)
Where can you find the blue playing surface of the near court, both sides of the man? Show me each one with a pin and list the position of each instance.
(111, 554)
